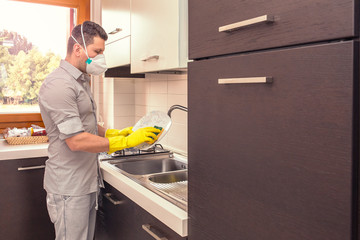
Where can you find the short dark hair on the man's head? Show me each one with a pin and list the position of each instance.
(90, 30)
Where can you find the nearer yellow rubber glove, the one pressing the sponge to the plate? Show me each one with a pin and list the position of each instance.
(141, 135)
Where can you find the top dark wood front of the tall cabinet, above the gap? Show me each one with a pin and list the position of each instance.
(294, 22)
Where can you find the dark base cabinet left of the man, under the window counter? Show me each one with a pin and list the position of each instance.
(23, 200)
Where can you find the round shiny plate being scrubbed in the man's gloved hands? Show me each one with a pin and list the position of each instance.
(154, 118)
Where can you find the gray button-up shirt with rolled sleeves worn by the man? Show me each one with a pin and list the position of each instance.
(67, 108)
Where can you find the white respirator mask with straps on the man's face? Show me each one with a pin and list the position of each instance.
(95, 66)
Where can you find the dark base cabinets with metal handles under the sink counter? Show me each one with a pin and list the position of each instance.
(119, 217)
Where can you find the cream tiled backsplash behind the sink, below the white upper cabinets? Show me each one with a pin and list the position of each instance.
(123, 101)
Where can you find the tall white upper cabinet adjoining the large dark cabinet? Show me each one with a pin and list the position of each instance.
(159, 35)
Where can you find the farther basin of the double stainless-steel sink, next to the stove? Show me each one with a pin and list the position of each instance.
(149, 166)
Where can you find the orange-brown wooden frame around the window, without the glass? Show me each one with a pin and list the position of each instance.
(20, 120)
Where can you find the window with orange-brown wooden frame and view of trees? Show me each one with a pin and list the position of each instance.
(32, 42)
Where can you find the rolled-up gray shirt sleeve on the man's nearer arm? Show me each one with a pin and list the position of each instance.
(59, 100)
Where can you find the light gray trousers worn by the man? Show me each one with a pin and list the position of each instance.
(73, 216)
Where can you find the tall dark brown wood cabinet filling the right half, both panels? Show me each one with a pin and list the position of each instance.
(277, 159)
